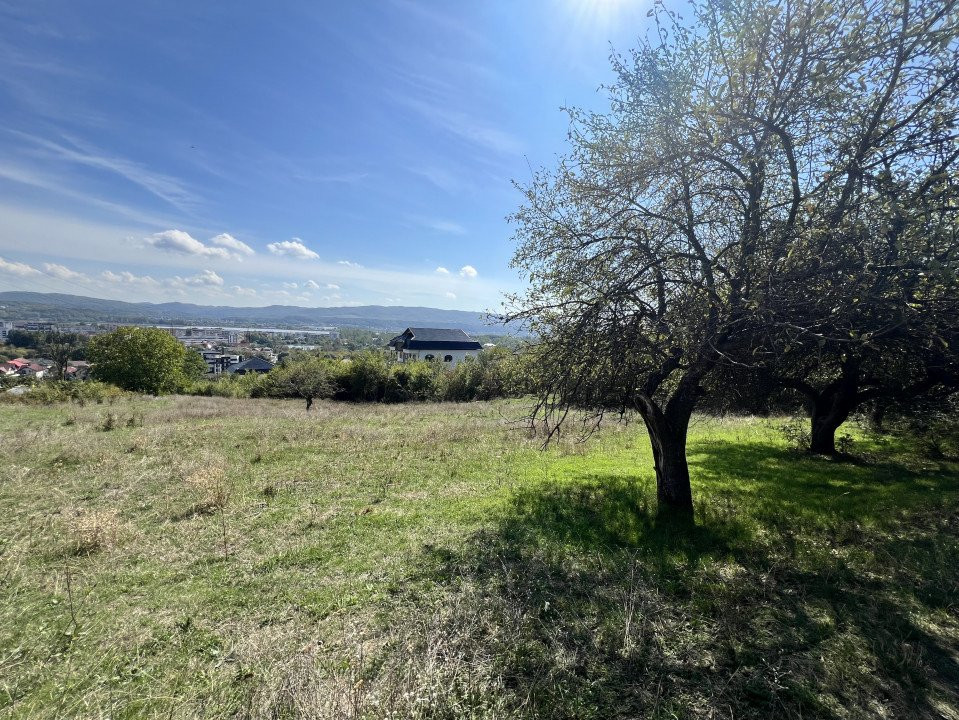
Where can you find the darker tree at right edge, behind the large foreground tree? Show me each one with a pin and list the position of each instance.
(866, 305)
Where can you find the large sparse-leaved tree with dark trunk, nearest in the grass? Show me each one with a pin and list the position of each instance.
(730, 153)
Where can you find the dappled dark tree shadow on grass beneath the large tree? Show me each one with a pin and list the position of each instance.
(582, 604)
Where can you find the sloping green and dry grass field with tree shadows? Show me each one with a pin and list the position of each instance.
(185, 557)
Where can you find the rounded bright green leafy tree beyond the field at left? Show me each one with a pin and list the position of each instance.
(145, 360)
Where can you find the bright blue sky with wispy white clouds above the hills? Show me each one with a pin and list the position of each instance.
(307, 153)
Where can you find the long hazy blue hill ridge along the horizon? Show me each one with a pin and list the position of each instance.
(56, 307)
